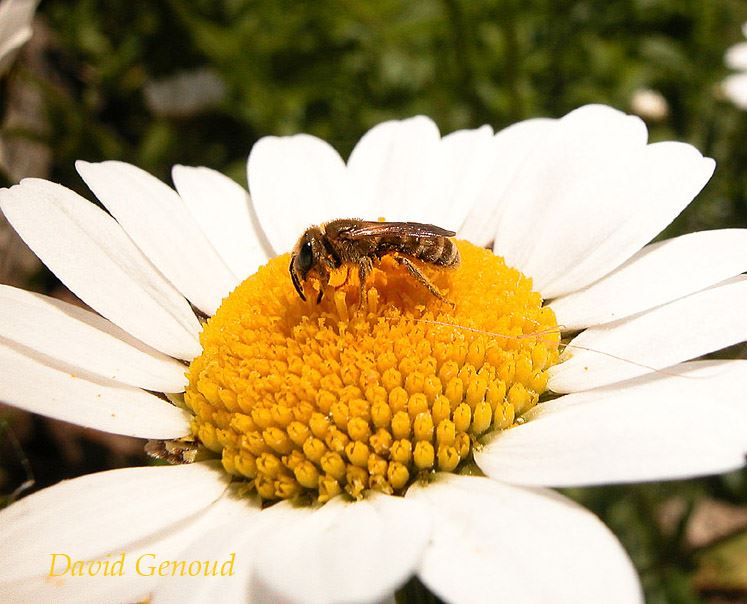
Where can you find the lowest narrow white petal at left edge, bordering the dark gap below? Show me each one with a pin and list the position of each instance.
(34, 383)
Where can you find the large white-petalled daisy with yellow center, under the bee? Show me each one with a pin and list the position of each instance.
(343, 447)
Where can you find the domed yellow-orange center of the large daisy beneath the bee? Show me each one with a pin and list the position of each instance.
(342, 397)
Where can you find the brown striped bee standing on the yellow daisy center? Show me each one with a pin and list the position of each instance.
(329, 246)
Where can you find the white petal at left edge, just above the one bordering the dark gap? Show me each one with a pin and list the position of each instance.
(81, 339)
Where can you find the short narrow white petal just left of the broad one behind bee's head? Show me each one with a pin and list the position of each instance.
(224, 211)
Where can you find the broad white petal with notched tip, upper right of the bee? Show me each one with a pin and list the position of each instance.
(591, 195)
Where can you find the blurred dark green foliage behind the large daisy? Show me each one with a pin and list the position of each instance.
(334, 69)
